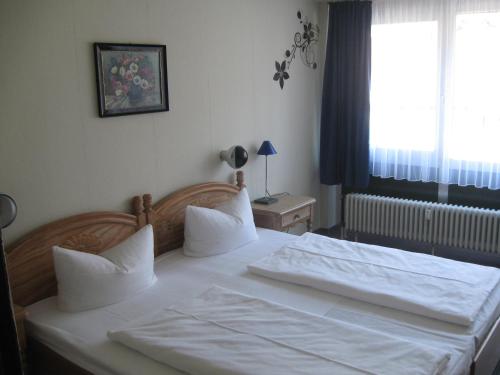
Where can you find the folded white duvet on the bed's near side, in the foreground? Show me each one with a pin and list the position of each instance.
(224, 332)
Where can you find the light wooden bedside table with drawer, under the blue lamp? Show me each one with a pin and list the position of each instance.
(287, 212)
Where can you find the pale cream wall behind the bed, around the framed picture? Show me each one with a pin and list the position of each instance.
(59, 158)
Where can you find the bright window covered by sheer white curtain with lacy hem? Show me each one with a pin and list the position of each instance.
(435, 94)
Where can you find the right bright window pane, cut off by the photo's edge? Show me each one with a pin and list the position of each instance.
(473, 128)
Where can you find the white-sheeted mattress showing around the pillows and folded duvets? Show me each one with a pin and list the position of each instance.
(81, 337)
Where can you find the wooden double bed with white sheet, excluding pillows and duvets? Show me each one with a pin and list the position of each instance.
(76, 343)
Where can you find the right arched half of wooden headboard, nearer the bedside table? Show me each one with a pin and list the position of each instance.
(167, 215)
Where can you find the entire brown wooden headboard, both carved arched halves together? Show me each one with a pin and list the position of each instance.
(29, 261)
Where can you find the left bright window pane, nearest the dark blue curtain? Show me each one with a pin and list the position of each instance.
(404, 86)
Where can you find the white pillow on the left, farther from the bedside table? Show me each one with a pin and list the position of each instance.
(86, 281)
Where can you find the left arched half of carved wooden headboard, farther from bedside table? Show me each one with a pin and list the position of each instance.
(29, 261)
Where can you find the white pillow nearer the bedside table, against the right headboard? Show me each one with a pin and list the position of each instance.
(224, 228)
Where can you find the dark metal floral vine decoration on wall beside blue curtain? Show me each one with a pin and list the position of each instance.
(303, 41)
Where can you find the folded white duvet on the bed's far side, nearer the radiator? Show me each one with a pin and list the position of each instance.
(417, 283)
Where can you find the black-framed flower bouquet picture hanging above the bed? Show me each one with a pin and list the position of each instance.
(131, 78)
